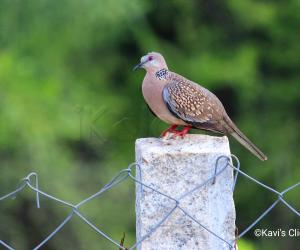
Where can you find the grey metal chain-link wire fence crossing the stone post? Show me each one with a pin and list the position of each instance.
(31, 182)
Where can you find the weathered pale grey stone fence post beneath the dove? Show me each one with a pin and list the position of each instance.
(175, 166)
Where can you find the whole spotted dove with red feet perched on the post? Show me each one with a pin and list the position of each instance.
(179, 101)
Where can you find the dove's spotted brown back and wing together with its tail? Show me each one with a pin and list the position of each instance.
(197, 106)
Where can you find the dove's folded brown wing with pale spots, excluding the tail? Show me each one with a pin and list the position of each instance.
(191, 102)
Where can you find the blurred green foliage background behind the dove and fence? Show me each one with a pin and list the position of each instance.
(71, 108)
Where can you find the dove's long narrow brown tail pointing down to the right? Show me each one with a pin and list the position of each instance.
(241, 138)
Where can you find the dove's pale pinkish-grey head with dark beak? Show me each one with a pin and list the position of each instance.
(153, 61)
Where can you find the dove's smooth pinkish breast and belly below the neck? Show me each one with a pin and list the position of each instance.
(152, 91)
